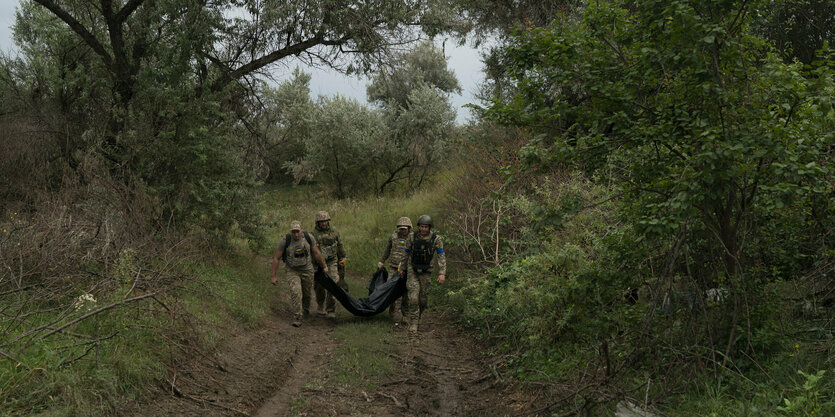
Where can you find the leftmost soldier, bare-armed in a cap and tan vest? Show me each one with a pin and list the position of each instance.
(297, 250)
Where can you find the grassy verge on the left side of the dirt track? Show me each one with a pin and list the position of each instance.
(110, 357)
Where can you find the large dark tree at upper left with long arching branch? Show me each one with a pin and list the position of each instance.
(166, 85)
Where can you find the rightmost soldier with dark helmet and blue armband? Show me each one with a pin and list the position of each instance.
(420, 249)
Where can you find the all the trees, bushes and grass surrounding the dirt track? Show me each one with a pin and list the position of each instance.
(643, 209)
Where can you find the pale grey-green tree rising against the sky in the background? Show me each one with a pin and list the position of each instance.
(413, 93)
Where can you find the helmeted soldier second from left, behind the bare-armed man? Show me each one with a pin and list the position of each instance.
(331, 247)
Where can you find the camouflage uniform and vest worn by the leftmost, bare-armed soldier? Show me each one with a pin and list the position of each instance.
(299, 268)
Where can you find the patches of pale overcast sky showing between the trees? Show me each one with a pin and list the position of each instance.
(464, 61)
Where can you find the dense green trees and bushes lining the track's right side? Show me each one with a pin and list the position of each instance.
(666, 232)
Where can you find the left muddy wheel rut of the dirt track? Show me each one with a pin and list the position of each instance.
(269, 364)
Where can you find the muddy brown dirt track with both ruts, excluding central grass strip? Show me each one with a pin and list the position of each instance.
(263, 372)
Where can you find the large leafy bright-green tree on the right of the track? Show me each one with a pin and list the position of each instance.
(704, 129)
